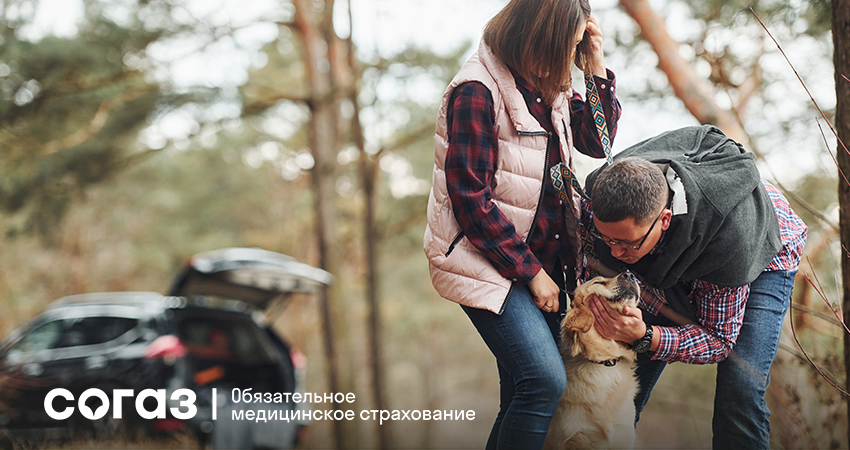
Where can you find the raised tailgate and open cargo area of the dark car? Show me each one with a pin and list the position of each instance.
(224, 351)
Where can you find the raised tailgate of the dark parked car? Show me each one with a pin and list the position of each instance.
(252, 275)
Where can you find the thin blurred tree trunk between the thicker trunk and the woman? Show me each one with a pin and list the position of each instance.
(368, 177)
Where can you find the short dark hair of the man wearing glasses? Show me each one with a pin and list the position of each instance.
(632, 187)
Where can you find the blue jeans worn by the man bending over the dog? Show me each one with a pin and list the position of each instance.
(740, 409)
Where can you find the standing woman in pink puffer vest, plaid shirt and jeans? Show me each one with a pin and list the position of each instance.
(499, 242)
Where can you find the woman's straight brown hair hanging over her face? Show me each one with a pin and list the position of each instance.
(538, 37)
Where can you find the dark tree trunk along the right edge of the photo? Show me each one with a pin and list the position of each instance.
(841, 61)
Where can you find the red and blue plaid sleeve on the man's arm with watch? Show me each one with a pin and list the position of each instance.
(720, 311)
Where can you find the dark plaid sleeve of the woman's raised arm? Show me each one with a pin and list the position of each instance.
(585, 137)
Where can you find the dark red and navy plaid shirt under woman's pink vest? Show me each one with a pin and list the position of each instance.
(471, 165)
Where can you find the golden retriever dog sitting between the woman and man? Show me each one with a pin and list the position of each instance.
(597, 409)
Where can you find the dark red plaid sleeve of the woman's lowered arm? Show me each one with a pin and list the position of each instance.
(470, 168)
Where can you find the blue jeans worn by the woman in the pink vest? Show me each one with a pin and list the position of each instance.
(531, 373)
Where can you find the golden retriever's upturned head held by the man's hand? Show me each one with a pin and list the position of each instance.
(577, 327)
